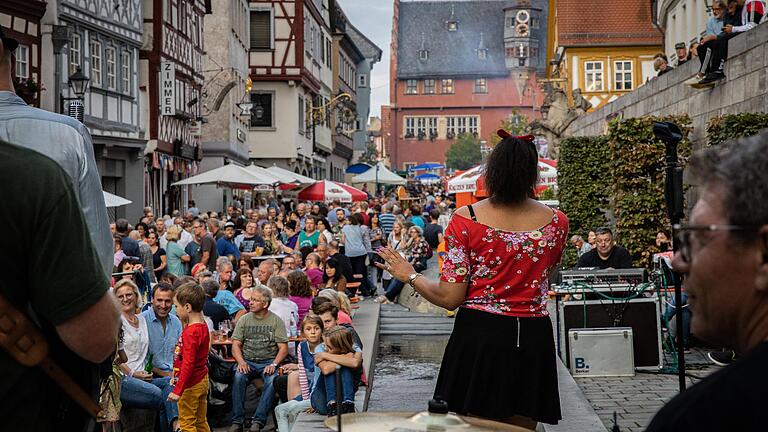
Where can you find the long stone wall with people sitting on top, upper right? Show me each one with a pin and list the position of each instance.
(744, 90)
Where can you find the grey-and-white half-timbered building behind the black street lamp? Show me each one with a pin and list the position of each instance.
(103, 38)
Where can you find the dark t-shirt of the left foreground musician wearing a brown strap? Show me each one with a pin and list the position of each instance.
(54, 270)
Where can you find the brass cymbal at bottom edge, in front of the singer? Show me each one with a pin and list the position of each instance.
(413, 422)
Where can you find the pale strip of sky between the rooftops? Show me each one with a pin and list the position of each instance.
(374, 19)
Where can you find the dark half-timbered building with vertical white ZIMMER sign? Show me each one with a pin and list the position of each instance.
(171, 83)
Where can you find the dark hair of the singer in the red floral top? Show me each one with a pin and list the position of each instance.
(511, 171)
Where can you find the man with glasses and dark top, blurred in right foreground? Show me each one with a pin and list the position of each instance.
(723, 254)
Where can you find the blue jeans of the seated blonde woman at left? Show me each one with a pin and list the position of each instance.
(136, 393)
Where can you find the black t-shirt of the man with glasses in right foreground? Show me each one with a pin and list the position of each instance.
(731, 399)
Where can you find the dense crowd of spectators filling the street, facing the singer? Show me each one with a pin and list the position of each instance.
(276, 281)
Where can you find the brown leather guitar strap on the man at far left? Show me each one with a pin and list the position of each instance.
(23, 341)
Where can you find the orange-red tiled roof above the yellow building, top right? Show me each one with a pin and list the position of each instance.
(606, 22)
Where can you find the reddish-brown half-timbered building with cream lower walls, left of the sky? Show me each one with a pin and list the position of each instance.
(290, 59)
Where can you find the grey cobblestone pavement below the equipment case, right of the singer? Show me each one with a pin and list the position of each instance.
(636, 399)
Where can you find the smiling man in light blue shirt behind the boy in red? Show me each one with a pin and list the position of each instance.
(164, 330)
